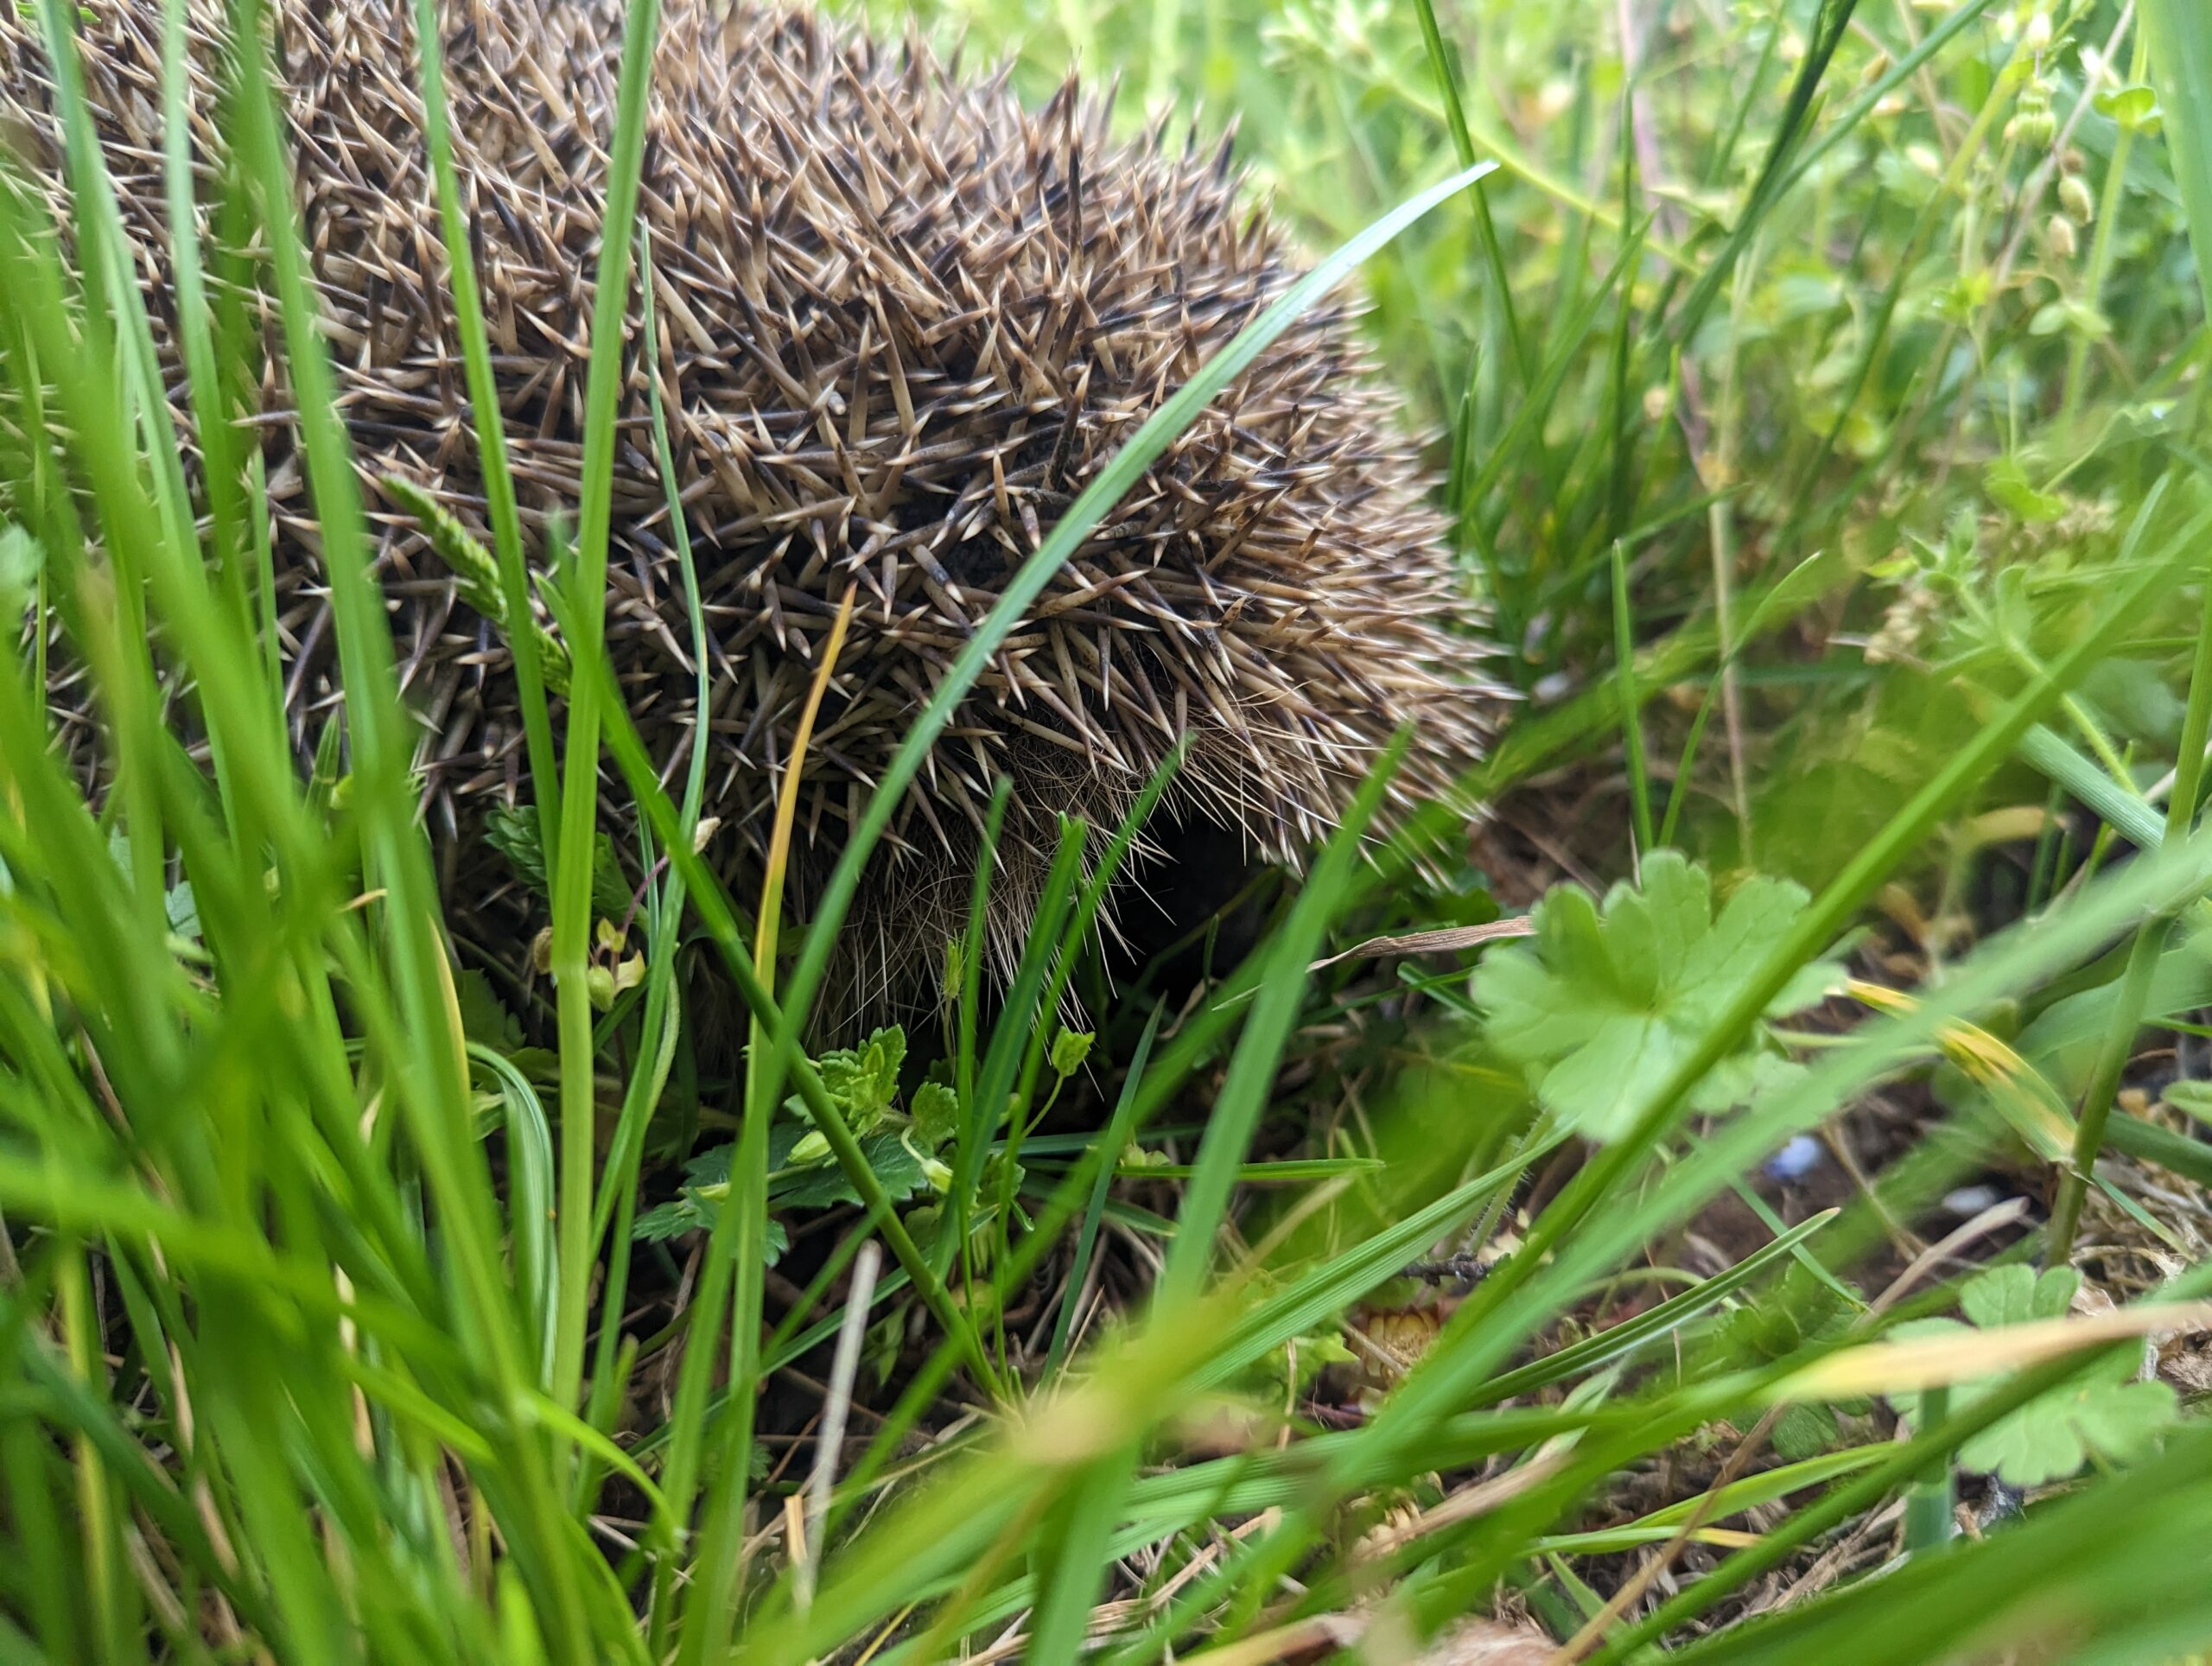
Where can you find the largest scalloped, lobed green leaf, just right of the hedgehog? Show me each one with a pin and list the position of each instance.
(1603, 1003)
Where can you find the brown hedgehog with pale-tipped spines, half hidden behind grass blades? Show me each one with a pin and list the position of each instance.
(904, 322)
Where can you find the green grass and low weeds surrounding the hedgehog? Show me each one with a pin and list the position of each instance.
(1819, 402)
